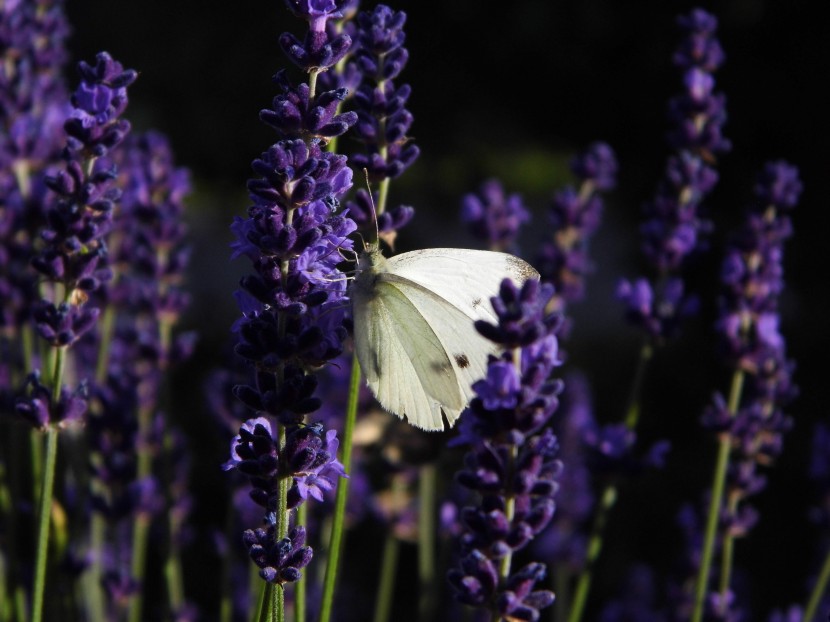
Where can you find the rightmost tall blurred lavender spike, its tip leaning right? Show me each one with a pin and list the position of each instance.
(752, 420)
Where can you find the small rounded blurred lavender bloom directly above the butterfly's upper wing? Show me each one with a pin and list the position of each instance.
(493, 217)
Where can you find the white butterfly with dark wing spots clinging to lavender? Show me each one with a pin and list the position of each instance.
(413, 326)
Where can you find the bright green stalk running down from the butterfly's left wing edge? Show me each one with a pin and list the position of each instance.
(337, 527)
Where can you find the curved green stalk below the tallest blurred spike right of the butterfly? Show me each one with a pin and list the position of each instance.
(608, 497)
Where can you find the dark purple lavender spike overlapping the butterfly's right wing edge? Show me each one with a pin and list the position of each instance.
(512, 458)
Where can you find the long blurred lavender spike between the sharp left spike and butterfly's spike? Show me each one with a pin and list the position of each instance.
(128, 437)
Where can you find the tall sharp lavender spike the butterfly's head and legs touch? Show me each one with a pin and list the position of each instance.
(294, 303)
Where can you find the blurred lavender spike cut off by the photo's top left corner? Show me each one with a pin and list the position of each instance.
(33, 107)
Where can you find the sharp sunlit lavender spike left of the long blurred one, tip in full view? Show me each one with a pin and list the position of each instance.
(74, 256)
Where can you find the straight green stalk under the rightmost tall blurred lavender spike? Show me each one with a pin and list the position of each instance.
(715, 502)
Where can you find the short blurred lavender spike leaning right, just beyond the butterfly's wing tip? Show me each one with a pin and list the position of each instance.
(575, 216)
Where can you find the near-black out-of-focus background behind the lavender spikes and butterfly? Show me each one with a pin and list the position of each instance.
(512, 90)
